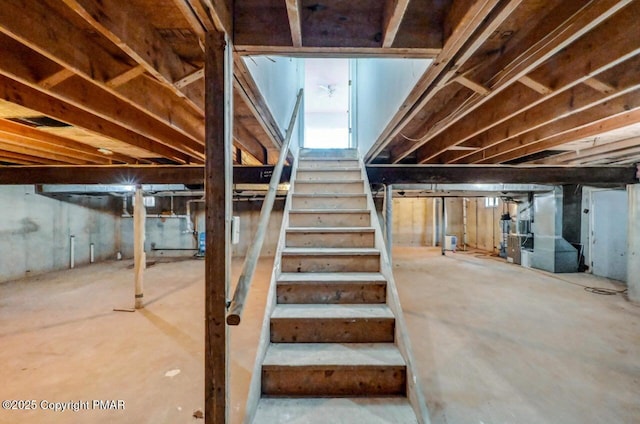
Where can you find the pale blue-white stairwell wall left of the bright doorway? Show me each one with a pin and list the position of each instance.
(279, 79)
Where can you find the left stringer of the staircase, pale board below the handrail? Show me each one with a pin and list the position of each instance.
(255, 386)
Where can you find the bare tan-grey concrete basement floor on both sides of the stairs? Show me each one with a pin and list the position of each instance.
(496, 343)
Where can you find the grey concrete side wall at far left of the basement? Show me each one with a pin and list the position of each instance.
(35, 230)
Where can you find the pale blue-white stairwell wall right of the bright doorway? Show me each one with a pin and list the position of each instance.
(381, 87)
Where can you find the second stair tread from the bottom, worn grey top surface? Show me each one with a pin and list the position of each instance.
(332, 354)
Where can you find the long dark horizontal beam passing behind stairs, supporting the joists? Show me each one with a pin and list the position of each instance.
(378, 174)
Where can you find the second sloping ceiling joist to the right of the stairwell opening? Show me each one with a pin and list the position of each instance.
(589, 17)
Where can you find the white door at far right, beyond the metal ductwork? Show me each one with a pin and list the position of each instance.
(609, 234)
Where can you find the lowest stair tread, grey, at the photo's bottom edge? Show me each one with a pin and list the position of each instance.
(366, 410)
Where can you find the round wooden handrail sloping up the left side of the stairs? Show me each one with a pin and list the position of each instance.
(251, 259)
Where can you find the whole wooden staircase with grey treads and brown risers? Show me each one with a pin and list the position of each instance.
(333, 349)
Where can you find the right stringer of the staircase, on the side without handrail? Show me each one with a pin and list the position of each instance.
(415, 393)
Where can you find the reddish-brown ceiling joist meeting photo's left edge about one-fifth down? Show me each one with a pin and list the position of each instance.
(28, 97)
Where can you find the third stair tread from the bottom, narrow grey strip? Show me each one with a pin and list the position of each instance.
(328, 311)
